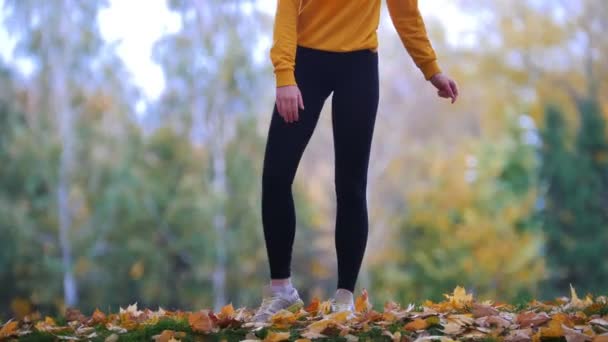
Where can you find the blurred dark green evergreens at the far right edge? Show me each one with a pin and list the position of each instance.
(576, 191)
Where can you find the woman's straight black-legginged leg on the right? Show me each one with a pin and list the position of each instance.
(354, 107)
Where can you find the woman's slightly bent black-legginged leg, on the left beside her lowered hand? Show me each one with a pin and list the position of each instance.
(284, 148)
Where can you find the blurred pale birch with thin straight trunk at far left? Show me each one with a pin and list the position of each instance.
(61, 47)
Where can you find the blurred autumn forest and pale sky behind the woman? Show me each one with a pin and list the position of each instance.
(132, 135)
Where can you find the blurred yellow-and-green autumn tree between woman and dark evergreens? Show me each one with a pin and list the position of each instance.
(470, 224)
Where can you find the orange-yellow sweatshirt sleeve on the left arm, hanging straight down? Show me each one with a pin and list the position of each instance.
(283, 50)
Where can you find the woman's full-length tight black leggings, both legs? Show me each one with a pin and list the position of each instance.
(353, 78)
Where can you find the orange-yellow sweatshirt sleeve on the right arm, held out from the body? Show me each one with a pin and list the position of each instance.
(412, 31)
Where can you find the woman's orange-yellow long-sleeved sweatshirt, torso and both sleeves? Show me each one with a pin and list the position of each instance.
(345, 25)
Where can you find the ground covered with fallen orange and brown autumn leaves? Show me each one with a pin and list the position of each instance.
(458, 317)
